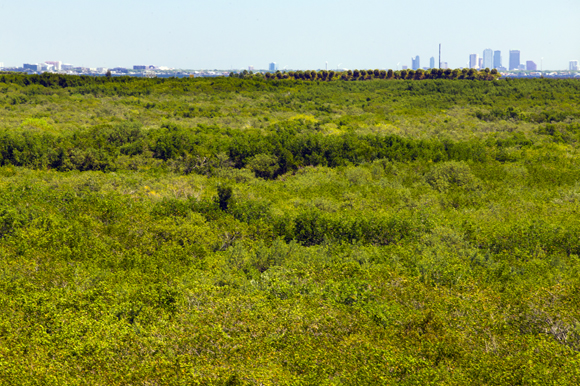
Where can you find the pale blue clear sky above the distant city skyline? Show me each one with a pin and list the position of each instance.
(296, 34)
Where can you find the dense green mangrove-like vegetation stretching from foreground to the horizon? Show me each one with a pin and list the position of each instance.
(277, 231)
